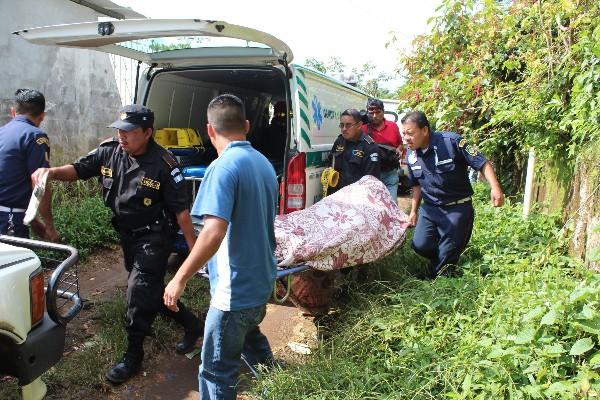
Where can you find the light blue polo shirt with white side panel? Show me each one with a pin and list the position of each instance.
(241, 187)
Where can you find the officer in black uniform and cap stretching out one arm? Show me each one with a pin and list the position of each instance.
(143, 186)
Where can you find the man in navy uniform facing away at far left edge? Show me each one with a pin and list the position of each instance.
(24, 147)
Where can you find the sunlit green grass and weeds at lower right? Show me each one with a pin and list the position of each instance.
(522, 322)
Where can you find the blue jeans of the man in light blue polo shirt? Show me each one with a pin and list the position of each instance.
(228, 335)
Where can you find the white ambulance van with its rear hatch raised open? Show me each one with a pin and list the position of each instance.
(183, 64)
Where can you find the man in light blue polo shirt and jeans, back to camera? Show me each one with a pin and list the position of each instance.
(238, 201)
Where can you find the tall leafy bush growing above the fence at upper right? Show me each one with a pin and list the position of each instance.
(511, 75)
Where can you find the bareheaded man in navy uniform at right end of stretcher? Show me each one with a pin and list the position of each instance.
(438, 164)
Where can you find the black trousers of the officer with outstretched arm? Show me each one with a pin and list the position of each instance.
(146, 261)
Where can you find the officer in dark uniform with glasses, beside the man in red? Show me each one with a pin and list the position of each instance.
(353, 154)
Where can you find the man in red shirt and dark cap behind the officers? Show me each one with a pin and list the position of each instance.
(384, 133)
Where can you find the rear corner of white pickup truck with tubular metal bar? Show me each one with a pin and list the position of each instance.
(37, 299)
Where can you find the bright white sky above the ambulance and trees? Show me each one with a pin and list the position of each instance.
(355, 31)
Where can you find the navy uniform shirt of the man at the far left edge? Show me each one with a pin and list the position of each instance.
(23, 149)
